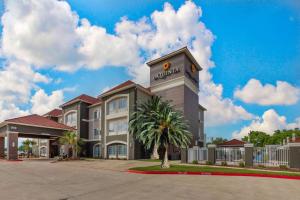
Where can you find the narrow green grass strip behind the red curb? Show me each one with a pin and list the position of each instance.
(184, 168)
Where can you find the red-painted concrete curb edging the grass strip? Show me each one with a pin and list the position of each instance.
(214, 174)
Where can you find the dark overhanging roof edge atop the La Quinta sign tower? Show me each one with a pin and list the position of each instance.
(181, 50)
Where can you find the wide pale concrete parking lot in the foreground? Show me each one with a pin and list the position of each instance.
(108, 179)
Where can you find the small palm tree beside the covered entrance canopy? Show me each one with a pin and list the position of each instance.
(71, 140)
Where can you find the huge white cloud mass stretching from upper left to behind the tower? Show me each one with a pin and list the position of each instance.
(49, 34)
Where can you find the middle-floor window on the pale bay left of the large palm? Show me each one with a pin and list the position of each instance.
(118, 126)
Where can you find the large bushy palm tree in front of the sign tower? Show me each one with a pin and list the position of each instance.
(156, 123)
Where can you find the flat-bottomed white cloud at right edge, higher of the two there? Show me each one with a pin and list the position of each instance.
(282, 93)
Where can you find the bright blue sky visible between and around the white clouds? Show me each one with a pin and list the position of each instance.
(253, 40)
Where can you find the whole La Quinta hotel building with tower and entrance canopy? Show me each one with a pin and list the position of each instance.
(102, 122)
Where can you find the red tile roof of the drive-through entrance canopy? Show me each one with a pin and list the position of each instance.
(37, 120)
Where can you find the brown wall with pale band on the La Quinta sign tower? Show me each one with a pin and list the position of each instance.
(183, 92)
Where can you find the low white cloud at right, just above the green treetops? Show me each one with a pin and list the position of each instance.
(269, 122)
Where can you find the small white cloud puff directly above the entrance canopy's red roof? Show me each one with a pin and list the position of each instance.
(43, 103)
